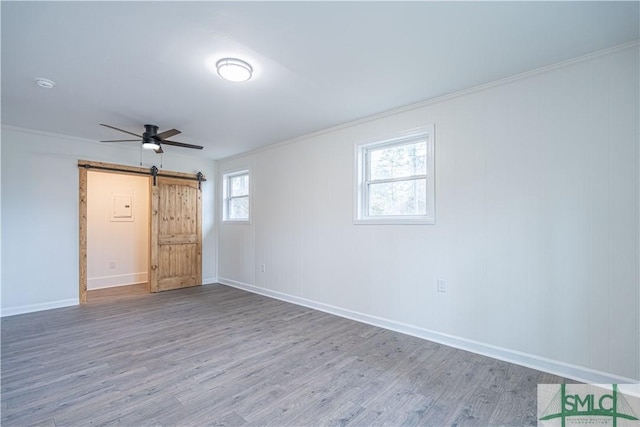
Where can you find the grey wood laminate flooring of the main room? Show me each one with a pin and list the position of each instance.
(216, 355)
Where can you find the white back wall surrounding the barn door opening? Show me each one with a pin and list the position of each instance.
(40, 214)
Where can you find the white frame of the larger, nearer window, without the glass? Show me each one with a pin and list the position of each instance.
(362, 182)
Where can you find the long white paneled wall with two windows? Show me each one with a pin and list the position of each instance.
(537, 225)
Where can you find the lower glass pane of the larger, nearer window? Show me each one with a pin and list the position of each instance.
(398, 198)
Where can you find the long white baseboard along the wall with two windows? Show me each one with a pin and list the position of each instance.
(555, 367)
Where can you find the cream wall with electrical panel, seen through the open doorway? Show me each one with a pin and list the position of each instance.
(117, 248)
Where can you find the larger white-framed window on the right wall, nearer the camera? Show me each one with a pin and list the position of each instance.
(395, 180)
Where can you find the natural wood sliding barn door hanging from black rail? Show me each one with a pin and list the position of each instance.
(176, 235)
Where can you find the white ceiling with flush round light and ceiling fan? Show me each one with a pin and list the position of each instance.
(317, 64)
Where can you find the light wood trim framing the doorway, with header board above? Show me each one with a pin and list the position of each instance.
(83, 167)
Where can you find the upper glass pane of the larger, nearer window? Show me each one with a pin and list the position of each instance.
(398, 161)
